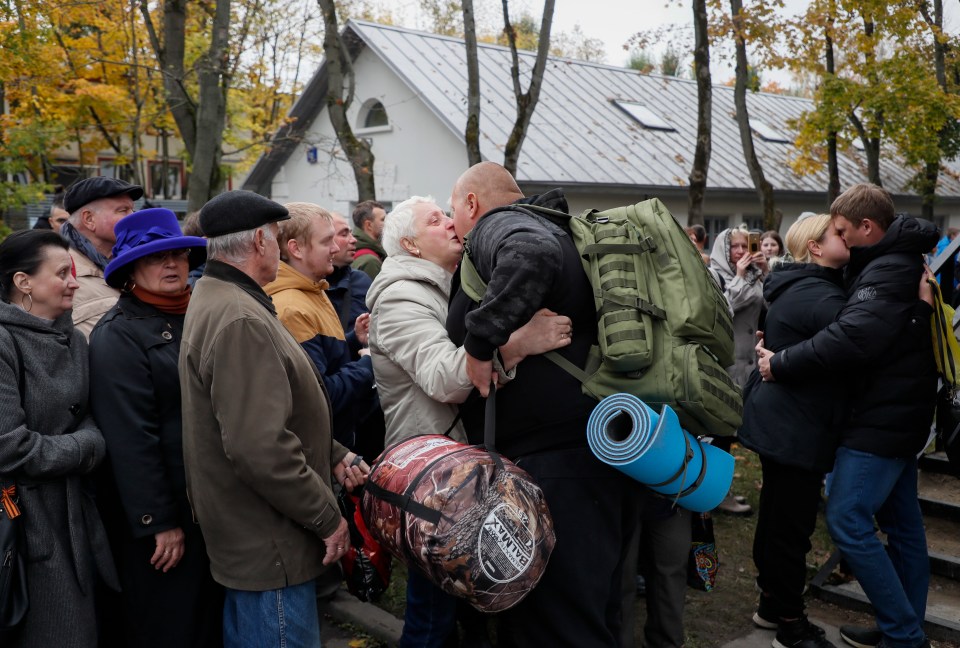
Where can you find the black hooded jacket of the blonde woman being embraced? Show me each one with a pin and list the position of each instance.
(797, 424)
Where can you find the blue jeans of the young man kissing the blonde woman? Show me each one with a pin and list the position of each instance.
(896, 581)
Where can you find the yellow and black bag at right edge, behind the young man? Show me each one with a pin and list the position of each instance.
(947, 354)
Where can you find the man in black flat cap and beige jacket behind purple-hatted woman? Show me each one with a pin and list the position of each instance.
(95, 205)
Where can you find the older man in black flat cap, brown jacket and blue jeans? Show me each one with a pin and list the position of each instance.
(257, 439)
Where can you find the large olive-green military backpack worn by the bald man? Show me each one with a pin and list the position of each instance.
(665, 332)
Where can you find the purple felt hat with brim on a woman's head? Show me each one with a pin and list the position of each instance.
(145, 232)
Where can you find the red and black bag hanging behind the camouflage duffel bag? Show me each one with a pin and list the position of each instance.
(366, 565)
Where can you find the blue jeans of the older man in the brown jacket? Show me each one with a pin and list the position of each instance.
(280, 618)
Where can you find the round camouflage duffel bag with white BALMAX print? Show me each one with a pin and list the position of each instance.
(470, 520)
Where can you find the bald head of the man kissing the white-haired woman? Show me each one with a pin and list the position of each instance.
(482, 187)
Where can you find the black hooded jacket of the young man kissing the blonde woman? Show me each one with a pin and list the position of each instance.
(882, 338)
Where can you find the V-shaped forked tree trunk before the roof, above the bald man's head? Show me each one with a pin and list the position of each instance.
(526, 102)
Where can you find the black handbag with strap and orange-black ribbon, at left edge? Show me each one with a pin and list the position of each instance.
(14, 598)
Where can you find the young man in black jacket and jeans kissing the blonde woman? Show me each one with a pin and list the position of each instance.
(882, 340)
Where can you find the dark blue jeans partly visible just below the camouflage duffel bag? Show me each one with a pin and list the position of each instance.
(430, 620)
